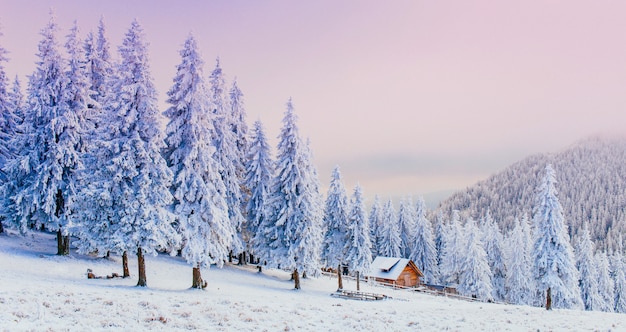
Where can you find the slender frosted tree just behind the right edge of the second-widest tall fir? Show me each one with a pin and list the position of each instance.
(227, 153)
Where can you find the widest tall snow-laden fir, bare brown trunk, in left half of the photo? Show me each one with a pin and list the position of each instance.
(126, 202)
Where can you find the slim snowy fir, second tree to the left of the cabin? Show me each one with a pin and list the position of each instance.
(335, 222)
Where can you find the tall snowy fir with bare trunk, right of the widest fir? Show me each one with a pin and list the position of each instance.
(200, 210)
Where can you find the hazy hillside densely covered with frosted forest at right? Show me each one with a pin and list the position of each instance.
(591, 187)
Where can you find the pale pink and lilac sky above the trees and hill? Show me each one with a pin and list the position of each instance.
(407, 97)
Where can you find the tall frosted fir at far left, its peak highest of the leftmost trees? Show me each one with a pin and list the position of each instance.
(43, 175)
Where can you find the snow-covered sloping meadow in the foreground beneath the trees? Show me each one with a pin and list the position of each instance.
(40, 291)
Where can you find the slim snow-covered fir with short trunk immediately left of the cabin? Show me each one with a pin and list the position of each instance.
(358, 252)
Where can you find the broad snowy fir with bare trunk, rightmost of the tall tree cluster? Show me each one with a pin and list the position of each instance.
(293, 220)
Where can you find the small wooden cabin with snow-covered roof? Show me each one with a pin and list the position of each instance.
(395, 271)
